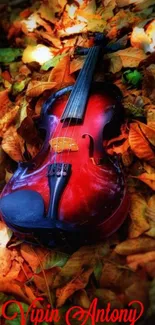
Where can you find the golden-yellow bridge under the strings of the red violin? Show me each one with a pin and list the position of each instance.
(61, 144)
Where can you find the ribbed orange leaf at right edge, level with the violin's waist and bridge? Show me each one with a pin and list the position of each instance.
(140, 145)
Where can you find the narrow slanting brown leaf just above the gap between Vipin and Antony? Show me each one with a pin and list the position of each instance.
(80, 282)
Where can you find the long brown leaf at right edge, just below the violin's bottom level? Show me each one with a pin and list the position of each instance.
(133, 246)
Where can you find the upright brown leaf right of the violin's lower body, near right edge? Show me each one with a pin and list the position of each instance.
(139, 222)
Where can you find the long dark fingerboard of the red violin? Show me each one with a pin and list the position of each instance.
(77, 101)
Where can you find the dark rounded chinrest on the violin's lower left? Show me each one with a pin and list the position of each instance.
(24, 210)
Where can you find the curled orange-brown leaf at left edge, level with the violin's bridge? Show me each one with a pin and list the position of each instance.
(13, 144)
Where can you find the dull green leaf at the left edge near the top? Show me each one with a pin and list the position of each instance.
(9, 54)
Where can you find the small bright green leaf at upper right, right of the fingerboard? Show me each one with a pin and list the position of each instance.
(132, 77)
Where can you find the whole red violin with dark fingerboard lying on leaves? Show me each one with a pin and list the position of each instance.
(72, 192)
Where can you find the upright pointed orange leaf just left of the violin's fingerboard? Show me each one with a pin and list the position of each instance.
(61, 74)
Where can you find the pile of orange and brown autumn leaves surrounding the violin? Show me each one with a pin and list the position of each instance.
(123, 267)
